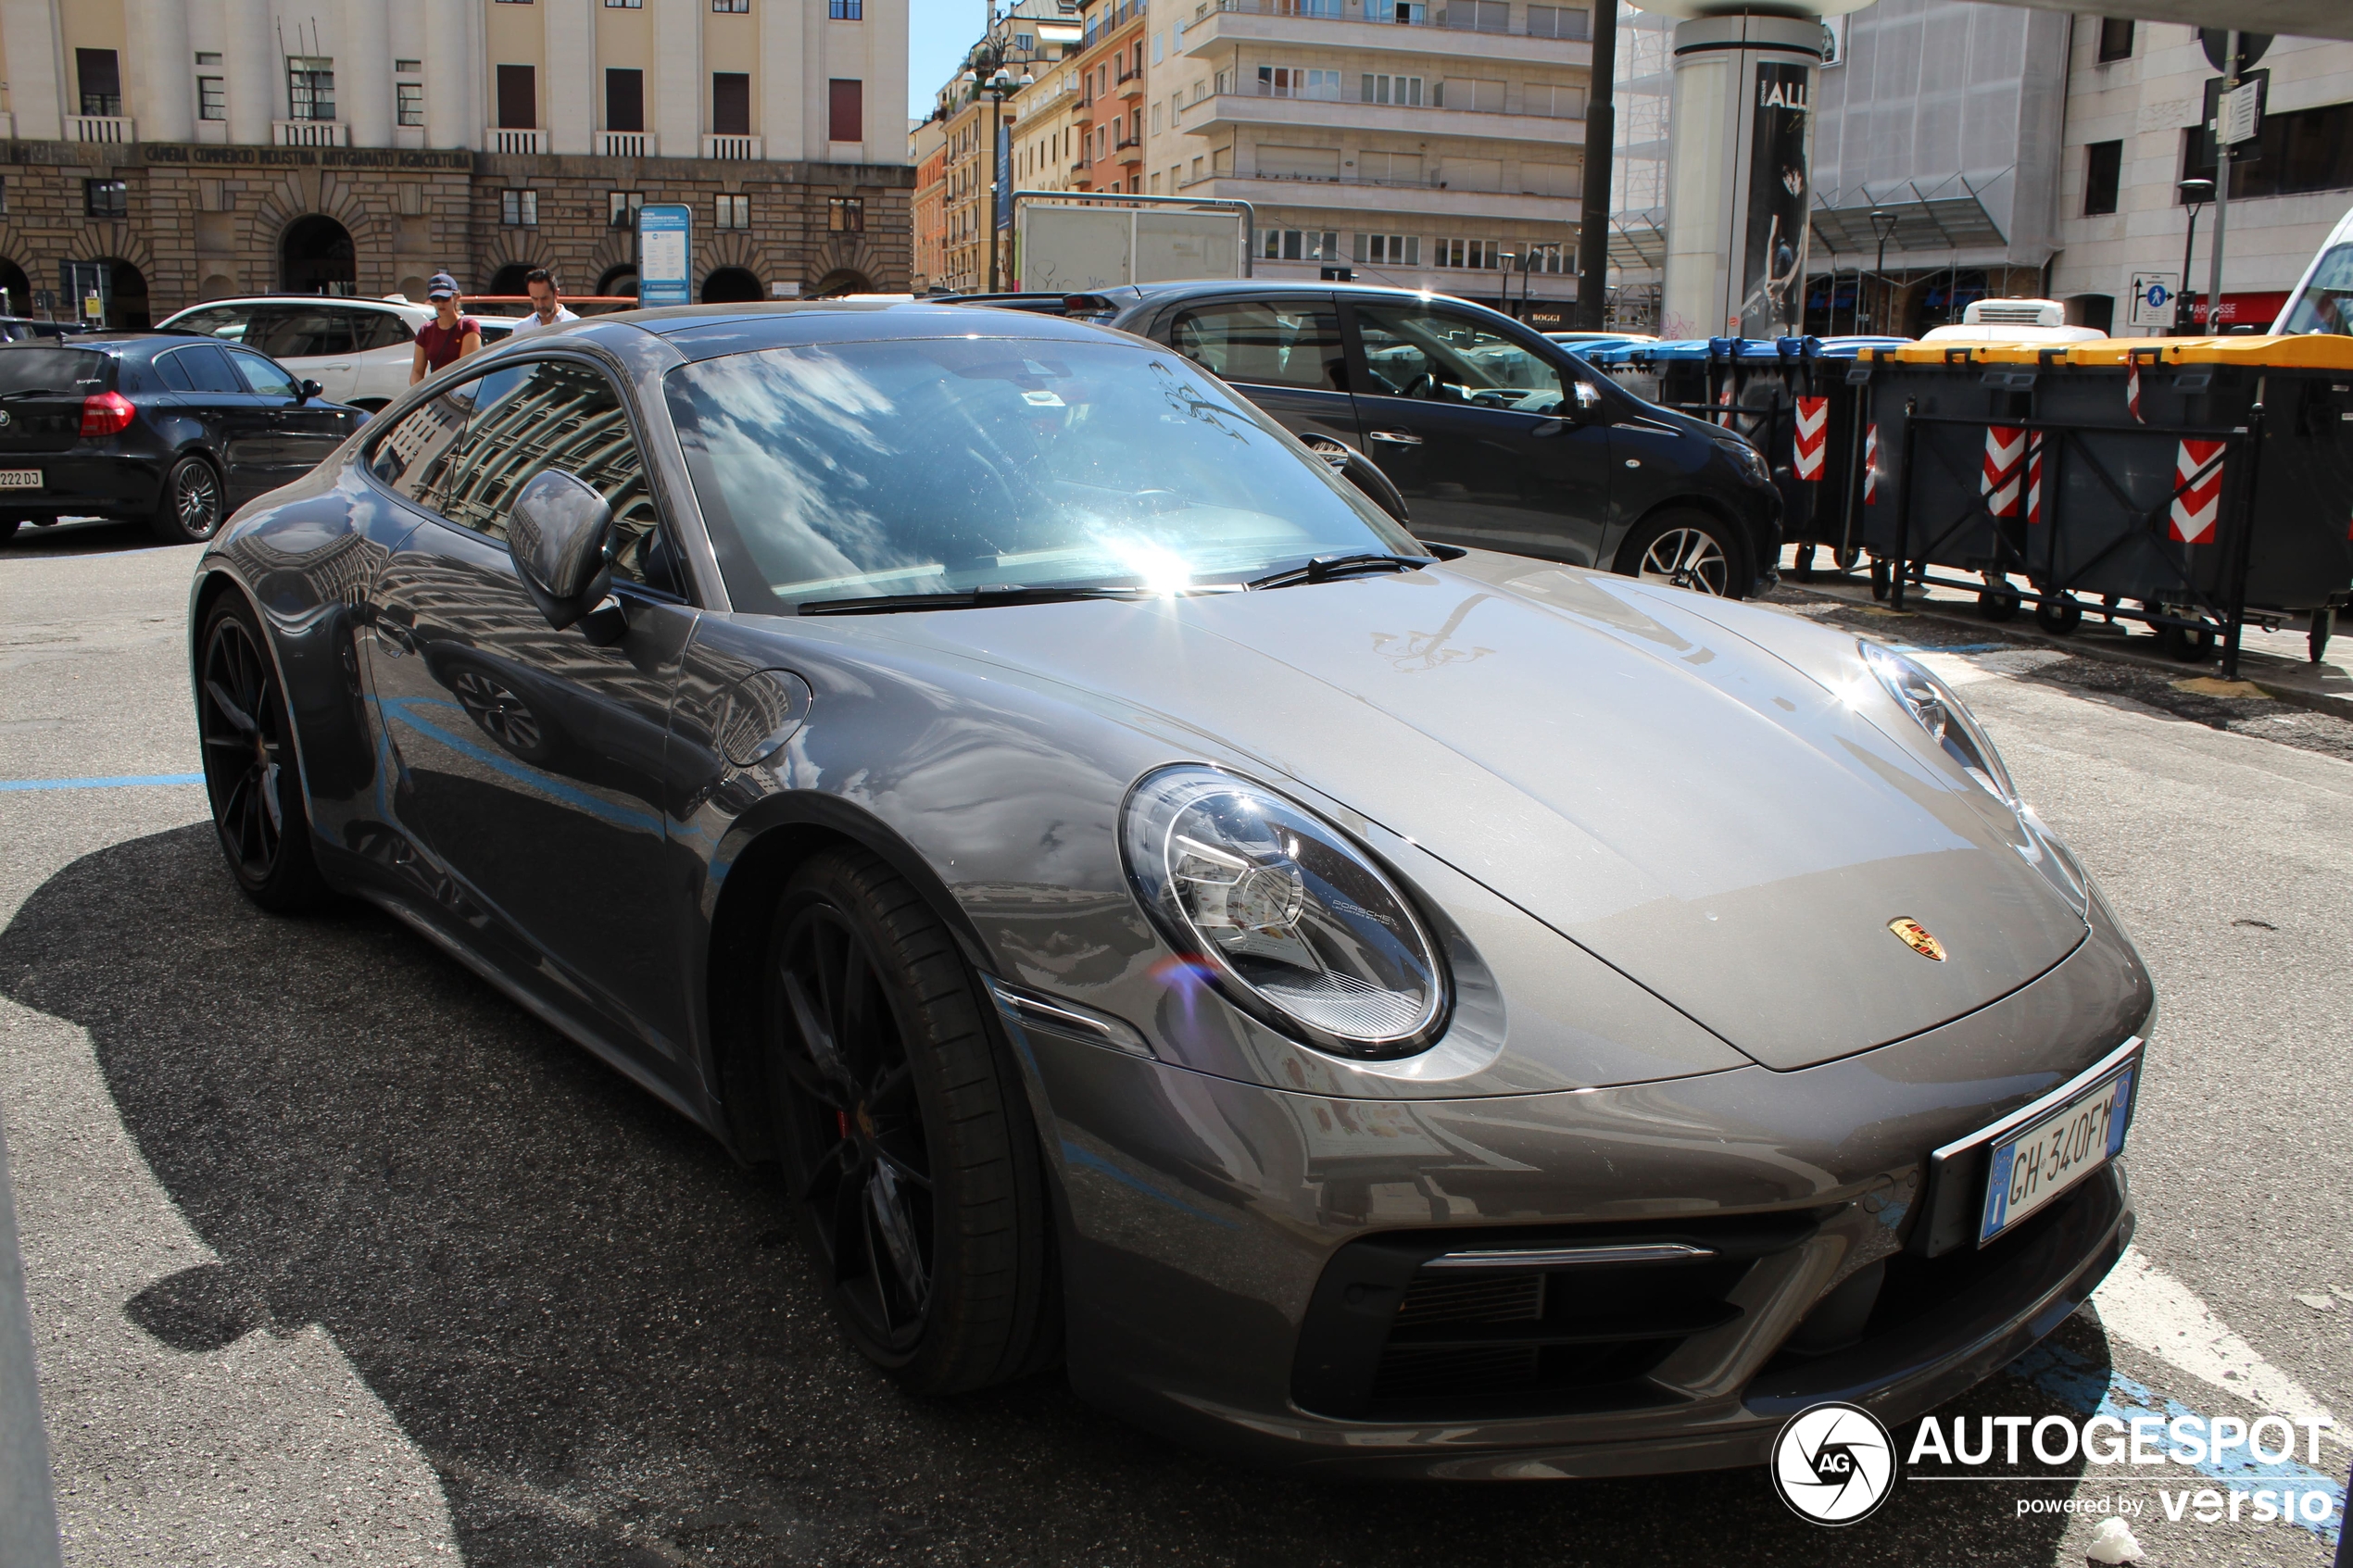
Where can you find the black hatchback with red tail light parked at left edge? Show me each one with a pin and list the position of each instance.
(156, 429)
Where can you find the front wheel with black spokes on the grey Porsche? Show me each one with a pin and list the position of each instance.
(905, 1134)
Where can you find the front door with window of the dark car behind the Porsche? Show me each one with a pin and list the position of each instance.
(1481, 436)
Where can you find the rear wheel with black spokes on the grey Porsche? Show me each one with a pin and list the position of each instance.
(251, 768)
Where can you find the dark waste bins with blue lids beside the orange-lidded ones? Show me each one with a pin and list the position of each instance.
(1794, 398)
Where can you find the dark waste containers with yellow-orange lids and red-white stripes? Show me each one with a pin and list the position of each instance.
(2187, 483)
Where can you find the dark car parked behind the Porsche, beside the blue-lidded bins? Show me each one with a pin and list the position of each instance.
(1495, 436)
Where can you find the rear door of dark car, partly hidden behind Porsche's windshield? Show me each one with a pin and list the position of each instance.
(1284, 354)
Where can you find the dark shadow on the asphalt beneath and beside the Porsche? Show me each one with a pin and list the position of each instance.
(589, 1322)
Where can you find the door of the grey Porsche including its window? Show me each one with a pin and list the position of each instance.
(531, 760)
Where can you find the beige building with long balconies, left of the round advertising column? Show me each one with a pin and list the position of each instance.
(1413, 145)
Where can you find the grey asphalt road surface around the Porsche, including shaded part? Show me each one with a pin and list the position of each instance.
(340, 1259)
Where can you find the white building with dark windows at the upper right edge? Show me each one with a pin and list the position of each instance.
(2135, 112)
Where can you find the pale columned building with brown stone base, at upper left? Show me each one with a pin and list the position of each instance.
(168, 152)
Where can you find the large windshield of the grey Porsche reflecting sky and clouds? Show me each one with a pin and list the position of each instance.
(947, 467)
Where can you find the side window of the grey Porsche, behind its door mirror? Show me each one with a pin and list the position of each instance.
(512, 427)
